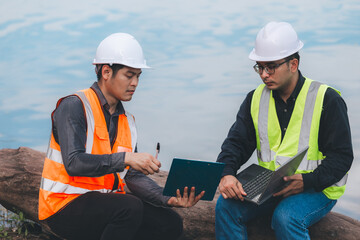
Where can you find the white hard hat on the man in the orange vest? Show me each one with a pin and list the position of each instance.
(120, 48)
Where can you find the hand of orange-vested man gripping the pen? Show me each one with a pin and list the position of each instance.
(143, 162)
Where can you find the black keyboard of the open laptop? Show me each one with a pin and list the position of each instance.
(256, 186)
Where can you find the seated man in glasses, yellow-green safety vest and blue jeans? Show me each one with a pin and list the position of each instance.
(282, 116)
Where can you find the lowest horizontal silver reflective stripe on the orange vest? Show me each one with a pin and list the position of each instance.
(57, 187)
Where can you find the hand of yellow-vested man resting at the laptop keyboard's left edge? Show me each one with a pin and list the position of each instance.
(230, 187)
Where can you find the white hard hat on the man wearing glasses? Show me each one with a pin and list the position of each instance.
(275, 41)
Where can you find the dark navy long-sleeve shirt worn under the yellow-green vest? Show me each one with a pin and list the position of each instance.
(334, 138)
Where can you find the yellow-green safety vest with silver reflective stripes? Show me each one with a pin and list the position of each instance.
(302, 131)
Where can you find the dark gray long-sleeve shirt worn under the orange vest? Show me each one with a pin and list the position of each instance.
(69, 128)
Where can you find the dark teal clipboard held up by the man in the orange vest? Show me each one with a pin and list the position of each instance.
(203, 175)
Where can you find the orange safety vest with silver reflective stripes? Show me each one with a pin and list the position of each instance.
(57, 188)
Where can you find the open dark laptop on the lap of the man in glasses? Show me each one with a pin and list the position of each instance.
(260, 183)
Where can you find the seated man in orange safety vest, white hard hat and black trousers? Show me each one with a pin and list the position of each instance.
(92, 155)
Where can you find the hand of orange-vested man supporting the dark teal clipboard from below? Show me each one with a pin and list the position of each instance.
(185, 201)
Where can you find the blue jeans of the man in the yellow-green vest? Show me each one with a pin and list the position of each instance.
(290, 220)
